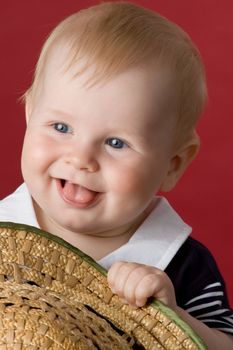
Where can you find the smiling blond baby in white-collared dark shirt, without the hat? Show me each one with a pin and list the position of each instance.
(111, 118)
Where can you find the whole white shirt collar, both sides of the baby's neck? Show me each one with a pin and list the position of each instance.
(155, 242)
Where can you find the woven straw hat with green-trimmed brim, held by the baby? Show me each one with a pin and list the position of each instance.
(53, 296)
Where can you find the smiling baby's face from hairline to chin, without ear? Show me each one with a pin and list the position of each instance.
(94, 157)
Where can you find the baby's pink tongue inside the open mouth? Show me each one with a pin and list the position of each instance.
(76, 193)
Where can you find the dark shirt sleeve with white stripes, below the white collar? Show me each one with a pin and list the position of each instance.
(199, 286)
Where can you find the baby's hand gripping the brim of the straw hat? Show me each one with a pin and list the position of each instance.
(135, 283)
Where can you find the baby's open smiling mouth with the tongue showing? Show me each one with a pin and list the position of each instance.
(76, 195)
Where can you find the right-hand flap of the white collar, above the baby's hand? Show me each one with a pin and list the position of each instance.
(156, 241)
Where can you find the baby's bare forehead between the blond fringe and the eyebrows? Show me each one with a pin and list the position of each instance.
(143, 90)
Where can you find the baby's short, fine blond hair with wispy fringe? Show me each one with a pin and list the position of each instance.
(115, 36)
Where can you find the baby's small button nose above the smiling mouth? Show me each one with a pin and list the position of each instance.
(83, 159)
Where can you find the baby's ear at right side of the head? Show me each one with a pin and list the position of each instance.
(183, 156)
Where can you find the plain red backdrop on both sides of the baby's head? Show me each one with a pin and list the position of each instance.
(204, 196)
